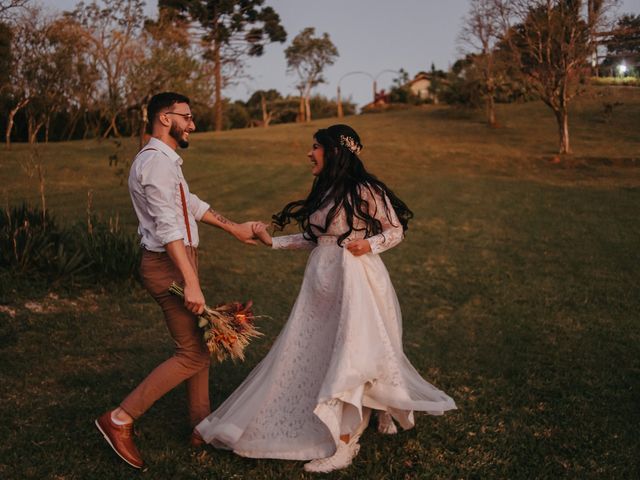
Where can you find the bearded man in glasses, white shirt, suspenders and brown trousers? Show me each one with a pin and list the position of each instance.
(168, 214)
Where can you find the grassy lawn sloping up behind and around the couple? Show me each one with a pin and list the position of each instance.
(518, 281)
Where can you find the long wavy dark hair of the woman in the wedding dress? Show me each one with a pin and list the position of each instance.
(340, 181)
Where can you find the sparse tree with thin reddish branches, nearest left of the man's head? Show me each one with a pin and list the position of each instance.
(112, 29)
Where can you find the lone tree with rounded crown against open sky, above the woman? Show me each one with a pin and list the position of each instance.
(308, 56)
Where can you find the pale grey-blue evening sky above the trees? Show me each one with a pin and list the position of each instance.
(371, 36)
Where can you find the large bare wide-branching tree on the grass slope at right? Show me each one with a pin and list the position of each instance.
(550, 45)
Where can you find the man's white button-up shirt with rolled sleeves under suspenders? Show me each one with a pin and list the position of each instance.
(154, 186)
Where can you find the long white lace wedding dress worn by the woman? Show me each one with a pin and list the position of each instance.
(339, 353)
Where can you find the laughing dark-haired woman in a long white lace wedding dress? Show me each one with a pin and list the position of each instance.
(340, 353)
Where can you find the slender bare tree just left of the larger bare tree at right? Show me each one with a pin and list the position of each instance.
(481, 34)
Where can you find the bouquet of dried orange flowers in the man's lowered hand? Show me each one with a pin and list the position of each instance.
(228, 328)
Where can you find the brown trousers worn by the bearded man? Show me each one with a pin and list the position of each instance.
(190, 361)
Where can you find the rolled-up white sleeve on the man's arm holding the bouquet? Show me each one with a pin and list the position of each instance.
(159, 179)
